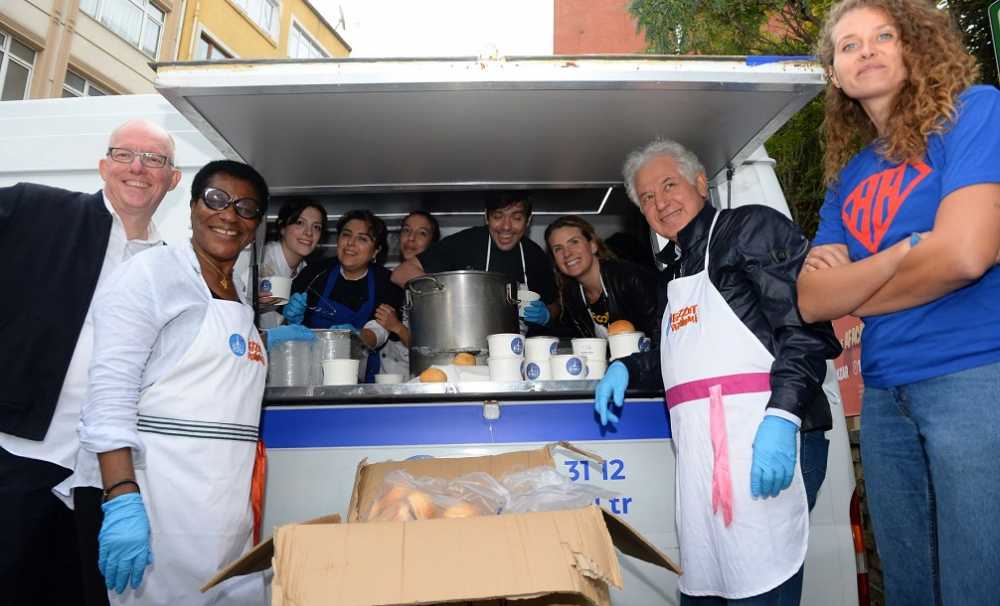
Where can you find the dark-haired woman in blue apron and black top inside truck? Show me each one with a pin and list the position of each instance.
(344, 292)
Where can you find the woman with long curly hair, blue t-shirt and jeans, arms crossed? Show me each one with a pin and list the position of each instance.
(908, 240)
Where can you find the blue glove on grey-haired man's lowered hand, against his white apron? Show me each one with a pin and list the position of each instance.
(774, 449)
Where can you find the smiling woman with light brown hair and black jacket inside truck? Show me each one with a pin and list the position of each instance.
(595, 288)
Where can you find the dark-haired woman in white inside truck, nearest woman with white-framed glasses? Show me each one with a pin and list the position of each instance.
(301, 227)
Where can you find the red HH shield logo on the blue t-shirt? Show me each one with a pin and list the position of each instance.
(870, 209)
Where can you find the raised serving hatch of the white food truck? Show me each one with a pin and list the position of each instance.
(325, 127)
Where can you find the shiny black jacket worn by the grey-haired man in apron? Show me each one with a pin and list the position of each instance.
(756, 257)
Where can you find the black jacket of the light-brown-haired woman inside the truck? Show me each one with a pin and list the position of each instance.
(631, 296)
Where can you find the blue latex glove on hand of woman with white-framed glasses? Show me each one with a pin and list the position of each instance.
(124, 542)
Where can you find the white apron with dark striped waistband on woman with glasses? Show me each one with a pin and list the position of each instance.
(198, 426)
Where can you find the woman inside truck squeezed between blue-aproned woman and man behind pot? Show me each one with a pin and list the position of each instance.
(419, 230)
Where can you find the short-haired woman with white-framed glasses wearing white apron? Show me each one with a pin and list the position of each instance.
(177, 381)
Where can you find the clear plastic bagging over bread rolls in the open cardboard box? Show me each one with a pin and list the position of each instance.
(404, 497)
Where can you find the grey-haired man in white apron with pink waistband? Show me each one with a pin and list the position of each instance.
(742, 376)
